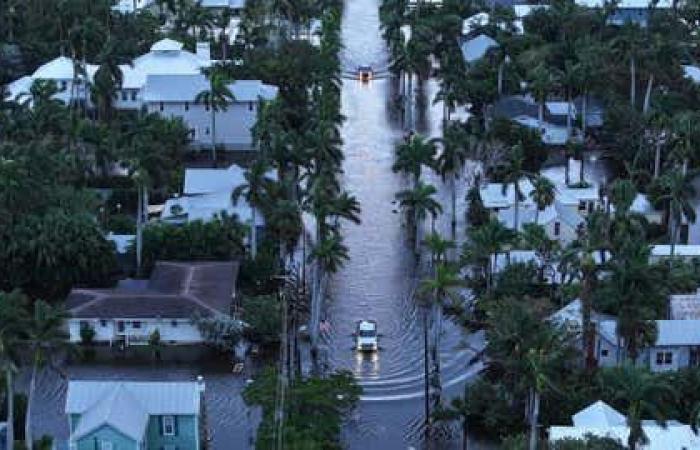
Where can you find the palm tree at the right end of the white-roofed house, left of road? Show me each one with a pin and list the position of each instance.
(255, 190)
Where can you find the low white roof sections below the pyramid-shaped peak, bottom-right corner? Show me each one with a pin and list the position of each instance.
(678, 437)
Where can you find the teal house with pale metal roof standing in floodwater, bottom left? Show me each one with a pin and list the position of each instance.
(126, 415)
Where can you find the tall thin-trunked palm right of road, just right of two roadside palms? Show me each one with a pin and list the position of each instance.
(451, 161)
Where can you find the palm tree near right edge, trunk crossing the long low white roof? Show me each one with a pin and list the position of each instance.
(679, 195)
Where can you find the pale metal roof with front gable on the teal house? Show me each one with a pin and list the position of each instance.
(127, 405)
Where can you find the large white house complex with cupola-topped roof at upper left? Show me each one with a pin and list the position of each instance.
(166, 81)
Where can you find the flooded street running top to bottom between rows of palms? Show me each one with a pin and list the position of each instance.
(379, 280)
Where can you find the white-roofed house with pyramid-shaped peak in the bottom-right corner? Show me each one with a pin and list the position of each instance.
(601, 420)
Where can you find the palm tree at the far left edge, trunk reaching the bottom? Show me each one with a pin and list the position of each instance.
(13, 319)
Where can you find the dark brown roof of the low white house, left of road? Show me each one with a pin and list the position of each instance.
(175, 290)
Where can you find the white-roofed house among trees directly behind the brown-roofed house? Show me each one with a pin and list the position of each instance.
(207, 193)
